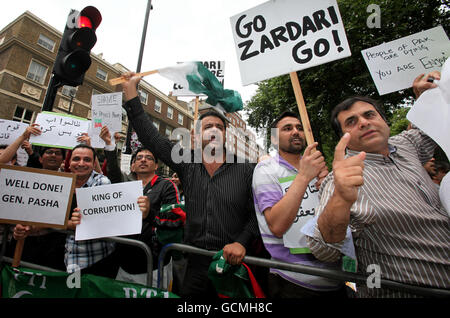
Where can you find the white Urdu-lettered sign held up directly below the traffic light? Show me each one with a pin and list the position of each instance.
(59, 130)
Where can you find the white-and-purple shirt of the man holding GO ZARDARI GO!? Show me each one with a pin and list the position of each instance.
(267, 191)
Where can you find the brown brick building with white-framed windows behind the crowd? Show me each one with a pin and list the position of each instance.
(28, 49)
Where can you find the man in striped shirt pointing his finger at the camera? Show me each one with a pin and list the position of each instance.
(380, 190)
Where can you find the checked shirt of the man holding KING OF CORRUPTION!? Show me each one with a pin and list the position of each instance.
(87, 252)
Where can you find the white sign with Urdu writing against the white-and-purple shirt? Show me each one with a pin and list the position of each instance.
(306, 212)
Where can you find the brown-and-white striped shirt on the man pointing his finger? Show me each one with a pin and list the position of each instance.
(398, 221)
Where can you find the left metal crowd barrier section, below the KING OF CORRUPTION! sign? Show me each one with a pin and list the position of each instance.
(120, 240)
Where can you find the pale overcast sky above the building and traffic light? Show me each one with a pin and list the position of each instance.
(178, 31)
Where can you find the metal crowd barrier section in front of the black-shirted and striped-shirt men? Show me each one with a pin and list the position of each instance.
(328, 273)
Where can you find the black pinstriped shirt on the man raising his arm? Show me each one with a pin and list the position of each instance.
(219, 209)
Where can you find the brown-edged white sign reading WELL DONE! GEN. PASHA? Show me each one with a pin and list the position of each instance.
(35, 196)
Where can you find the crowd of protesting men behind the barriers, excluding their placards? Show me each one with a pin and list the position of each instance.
(368, 209)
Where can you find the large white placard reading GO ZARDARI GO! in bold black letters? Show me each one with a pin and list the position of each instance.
(284, 36)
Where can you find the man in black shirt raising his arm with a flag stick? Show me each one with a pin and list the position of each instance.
(219, 202)
